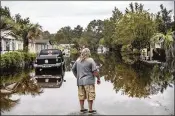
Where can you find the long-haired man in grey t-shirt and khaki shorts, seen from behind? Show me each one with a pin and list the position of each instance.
(85, 70)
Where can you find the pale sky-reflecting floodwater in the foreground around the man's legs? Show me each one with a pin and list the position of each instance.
(64, 101)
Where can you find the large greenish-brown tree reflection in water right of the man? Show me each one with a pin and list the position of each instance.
(135, 78)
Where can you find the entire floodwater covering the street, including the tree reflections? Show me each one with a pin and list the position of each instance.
(128, 87)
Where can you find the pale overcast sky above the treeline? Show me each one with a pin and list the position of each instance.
(53, 15)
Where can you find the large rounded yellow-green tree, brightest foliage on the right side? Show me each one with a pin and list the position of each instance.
(135, 28)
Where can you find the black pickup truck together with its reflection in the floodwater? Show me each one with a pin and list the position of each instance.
(49, 66)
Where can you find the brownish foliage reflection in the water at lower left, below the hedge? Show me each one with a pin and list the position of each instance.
(24, 86)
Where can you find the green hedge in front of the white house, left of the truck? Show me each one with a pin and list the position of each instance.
(15, 60)
